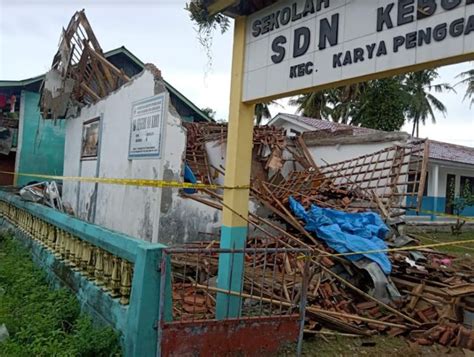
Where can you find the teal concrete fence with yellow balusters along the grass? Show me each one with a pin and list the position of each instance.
(115, 277)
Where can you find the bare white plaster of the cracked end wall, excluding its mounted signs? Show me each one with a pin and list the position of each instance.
(152, 214)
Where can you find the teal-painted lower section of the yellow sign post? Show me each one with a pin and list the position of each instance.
(231, 270)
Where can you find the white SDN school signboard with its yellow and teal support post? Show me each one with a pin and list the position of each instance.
(298, 46)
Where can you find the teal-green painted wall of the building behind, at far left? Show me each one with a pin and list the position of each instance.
(42, 146)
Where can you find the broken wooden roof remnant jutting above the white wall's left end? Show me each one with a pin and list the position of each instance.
(80, 74)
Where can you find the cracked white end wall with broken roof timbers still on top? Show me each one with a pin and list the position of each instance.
(122, 120)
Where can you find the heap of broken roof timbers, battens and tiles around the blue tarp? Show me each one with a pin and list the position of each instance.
(428, 296)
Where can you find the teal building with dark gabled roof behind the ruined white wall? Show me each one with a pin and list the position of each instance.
(34, 145)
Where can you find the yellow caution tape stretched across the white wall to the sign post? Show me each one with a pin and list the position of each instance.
(129, 182)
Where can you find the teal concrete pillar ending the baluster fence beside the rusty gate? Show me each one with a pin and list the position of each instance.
(142, 331)
